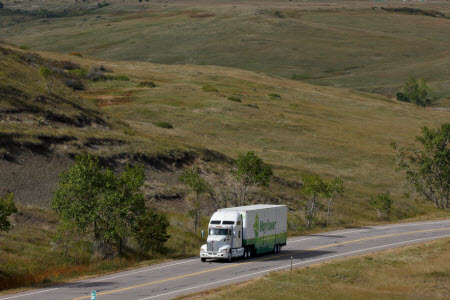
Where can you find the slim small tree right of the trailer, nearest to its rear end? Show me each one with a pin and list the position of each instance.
(312, 187)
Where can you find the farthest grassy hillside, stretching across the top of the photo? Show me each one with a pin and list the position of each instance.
(355, 44)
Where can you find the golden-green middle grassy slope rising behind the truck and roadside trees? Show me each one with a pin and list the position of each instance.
(296, 127)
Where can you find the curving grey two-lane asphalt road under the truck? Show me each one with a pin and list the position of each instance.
(172, 279)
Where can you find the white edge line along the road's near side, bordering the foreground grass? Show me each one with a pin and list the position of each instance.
(286, 266)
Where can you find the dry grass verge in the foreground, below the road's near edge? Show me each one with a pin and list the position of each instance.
(415, 272)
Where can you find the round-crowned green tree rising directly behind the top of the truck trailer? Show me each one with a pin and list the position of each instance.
(251, 171)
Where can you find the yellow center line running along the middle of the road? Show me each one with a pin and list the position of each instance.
(271, 257)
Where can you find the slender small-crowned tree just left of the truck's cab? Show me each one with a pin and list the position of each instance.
(192, 178)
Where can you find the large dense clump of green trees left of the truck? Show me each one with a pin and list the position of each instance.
(92, 199)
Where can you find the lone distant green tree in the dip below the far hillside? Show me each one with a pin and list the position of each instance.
(415, 91)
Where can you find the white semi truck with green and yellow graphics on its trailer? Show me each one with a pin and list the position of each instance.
(245, 231)
